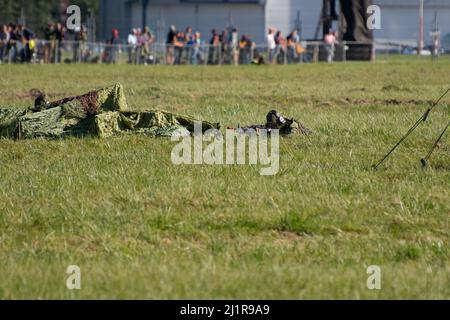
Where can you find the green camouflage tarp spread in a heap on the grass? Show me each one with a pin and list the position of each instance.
(103, 113)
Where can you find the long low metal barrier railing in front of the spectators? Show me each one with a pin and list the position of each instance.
(41, 51)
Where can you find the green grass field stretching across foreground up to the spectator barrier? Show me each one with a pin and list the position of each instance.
(140, 227)
